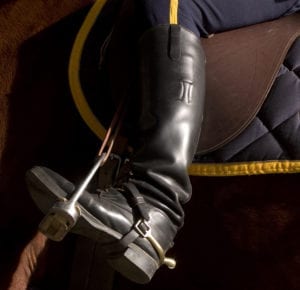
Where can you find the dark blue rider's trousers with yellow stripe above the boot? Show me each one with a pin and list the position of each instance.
(204, 17)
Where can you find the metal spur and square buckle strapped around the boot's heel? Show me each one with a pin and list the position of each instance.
(144, 229)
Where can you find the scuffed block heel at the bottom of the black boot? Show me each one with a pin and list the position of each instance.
(136, 265)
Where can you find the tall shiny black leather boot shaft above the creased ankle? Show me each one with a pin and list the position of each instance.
(172, 88)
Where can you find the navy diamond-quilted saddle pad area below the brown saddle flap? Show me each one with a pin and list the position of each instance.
(274, 132)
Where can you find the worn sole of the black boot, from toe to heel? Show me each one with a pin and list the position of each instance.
(135, 264)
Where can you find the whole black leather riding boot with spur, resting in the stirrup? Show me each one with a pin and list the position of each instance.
(137, 221)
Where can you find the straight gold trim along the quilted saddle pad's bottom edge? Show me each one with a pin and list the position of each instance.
(244, 168)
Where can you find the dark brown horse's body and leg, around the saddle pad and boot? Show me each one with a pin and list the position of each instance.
(240, 233)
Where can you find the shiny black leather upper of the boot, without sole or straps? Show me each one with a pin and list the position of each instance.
(172, 88)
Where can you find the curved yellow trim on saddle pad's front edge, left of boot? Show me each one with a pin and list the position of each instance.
(74, 69)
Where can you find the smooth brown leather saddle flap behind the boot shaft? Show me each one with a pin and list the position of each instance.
(241, 67)
